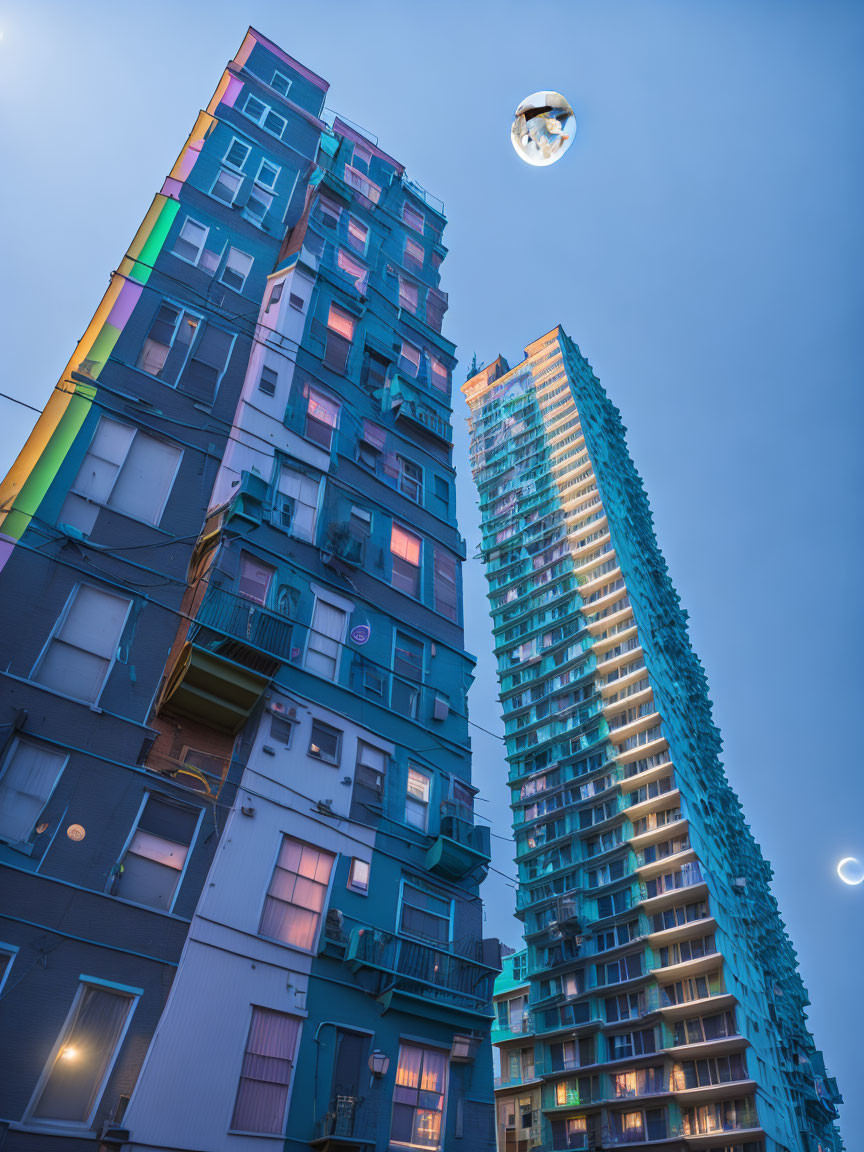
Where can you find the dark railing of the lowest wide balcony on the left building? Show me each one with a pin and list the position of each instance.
(423, 969)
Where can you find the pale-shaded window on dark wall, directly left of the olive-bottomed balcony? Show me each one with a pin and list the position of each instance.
(84, 646)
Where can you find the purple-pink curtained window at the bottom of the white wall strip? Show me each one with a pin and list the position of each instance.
(266, 1077)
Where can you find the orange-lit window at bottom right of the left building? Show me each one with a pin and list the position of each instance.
(419, 1097)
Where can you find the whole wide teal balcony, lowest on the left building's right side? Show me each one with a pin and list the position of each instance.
(434, 982)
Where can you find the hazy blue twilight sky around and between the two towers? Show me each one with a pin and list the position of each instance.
(702, 241)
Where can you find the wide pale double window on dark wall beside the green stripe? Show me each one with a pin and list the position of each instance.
(125, 469)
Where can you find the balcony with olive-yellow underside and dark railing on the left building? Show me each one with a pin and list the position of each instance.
(232, 650)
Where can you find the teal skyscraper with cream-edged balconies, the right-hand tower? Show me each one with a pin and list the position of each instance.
(666, 1010)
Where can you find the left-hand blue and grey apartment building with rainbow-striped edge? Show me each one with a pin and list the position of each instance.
(240, 860)
